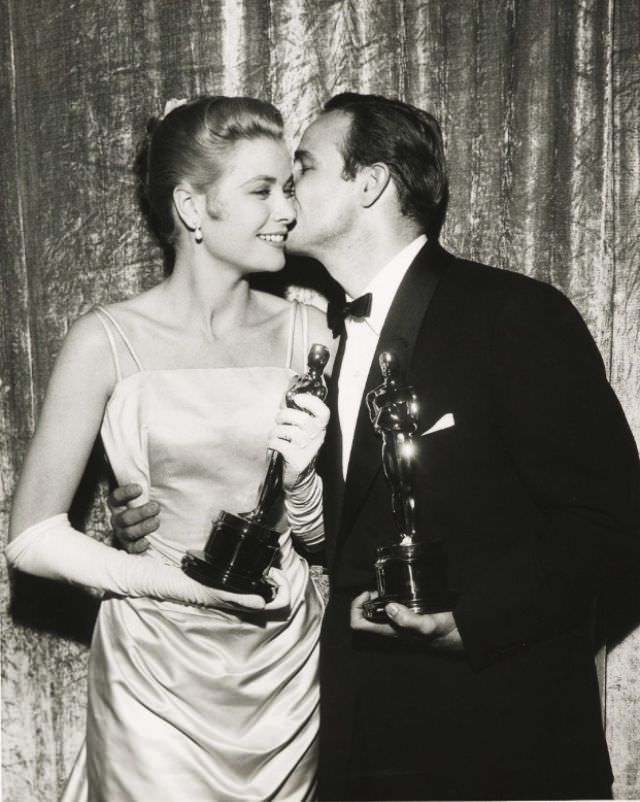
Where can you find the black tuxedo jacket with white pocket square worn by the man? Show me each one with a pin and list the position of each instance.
(535, 493)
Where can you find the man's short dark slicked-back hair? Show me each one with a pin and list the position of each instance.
(409, 141)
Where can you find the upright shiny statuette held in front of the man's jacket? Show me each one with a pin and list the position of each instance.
(412, 568)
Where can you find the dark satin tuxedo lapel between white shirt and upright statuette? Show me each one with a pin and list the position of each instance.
(399, 335)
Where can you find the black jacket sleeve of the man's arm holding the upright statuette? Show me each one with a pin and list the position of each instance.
(564, 432)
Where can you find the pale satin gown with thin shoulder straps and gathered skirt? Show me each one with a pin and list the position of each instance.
(186, 702)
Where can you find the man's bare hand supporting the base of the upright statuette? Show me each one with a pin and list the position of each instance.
(439, 629)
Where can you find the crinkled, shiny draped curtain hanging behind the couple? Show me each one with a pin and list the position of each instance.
(539, 106)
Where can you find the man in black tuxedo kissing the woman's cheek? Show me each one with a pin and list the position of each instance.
(534, 491)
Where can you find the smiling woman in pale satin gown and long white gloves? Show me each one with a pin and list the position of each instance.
(193, 693)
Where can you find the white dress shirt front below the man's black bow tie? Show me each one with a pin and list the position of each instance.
(362, 341)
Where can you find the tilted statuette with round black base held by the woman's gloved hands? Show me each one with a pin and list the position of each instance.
(241, 548)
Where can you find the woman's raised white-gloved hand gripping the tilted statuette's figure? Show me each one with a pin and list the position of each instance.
(298, 436)
